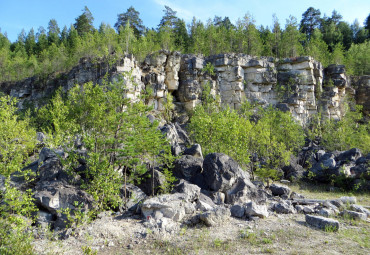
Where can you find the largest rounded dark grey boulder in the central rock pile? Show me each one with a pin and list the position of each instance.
(221, 172)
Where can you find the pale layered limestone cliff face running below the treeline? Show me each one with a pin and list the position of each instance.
(300, 85)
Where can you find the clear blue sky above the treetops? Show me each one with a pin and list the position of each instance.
(18, 14)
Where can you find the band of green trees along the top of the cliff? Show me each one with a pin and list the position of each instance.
(327, 39)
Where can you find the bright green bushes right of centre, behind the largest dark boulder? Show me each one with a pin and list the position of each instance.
(270, 140)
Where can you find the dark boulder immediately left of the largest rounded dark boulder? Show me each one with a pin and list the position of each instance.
(187, 167)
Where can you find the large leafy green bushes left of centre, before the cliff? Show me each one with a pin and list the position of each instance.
(118, 136)
